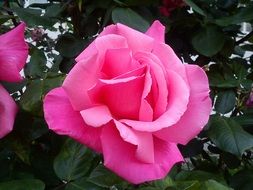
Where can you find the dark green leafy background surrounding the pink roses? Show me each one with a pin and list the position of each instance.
(215, 34)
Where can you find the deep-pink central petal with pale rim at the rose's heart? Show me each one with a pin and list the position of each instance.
(121, 96)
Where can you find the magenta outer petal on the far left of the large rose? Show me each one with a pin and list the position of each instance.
(62, 119)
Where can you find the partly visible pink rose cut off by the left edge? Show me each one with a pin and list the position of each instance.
(13, 55)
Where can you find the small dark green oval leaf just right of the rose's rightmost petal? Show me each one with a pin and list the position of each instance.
(225, 101)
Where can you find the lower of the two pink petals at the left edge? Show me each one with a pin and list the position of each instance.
(8, 110)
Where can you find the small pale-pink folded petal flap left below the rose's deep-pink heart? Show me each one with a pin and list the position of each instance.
(96, 116)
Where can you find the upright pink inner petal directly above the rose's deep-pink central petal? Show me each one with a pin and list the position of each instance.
(117, 62)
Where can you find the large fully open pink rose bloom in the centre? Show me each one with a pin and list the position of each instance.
(130, 98)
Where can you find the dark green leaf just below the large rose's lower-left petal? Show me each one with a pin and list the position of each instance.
(73, 161)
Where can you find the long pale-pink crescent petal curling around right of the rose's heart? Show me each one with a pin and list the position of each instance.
(177, 104)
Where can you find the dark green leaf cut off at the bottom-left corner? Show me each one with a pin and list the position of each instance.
(25, 184)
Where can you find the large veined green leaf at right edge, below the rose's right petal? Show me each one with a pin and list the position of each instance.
(229, 136)
